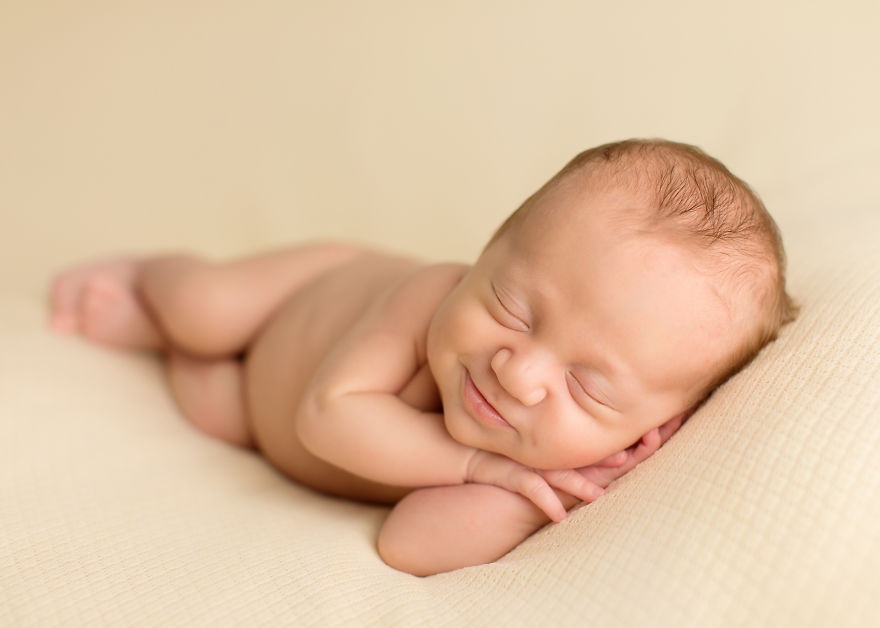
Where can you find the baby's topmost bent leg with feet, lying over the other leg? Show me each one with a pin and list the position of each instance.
(184, 303)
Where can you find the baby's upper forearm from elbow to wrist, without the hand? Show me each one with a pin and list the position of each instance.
(377, 436)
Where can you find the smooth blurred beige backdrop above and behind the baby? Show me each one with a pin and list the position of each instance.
(226, 125)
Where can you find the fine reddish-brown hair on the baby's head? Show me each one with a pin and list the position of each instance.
(694, 199)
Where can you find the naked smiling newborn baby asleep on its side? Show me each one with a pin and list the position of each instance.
(482, 400)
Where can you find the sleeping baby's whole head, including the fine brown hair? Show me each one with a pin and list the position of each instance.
(618, 296)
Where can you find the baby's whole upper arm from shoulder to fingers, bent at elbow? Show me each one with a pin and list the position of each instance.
(353, 416)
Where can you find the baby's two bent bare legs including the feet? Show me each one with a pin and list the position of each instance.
(201, 315)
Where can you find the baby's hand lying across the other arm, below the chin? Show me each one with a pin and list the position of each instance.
(533, 484)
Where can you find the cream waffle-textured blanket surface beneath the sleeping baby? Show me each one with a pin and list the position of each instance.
(763, 509)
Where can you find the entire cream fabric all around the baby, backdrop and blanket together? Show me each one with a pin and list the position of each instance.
(233, 127)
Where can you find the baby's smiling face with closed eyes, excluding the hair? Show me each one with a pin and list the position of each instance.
(570, 338)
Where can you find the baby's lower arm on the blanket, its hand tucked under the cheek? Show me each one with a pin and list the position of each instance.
(439, 529)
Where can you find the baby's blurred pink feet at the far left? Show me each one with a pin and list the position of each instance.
(99, 301)
